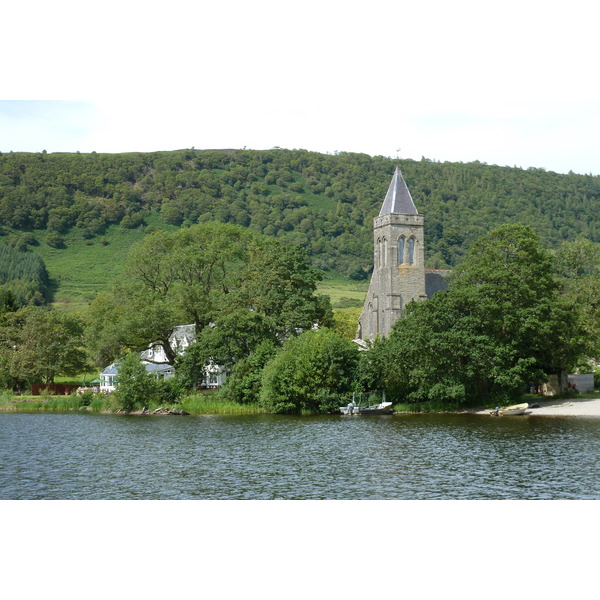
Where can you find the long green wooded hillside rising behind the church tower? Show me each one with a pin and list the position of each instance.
(85, 210)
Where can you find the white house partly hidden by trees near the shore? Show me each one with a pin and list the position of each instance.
(155, 361)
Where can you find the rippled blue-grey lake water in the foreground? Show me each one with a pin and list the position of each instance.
(412, 457)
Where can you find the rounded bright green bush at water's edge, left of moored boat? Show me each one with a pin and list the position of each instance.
(308, 371)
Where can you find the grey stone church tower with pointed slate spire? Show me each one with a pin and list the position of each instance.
(399, 262)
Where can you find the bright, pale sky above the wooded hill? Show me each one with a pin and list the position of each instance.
(512, 83)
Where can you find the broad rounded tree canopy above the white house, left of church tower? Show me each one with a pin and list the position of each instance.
(212, 275)
